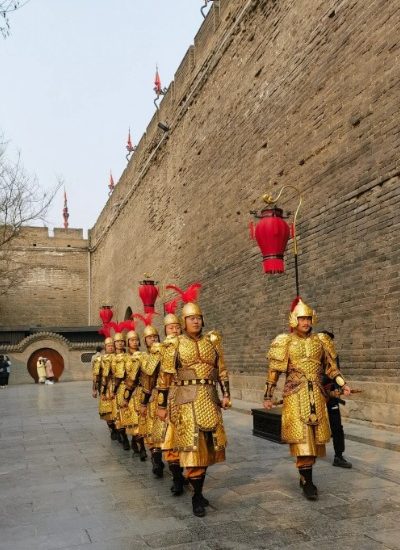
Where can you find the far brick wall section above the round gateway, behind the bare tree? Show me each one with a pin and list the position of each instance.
(54, 289)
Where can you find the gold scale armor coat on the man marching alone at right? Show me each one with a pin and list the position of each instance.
(305, 422)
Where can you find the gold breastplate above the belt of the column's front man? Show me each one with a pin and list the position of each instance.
(196, 357)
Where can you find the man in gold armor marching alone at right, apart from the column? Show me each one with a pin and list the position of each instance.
(304, 358)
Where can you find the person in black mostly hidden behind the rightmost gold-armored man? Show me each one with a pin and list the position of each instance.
(335, 419)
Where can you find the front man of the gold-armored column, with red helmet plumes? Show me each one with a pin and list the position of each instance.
(195, 363)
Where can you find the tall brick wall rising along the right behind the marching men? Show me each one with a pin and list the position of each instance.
(302, 93)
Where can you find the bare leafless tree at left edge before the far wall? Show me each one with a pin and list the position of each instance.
(22, 202)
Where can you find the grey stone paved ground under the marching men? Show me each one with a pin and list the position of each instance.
(65, 484)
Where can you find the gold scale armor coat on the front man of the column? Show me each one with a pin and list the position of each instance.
(194, 410)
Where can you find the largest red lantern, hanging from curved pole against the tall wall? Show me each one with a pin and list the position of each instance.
(272, 234)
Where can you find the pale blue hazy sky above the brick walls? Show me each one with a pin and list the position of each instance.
(75, 75)
